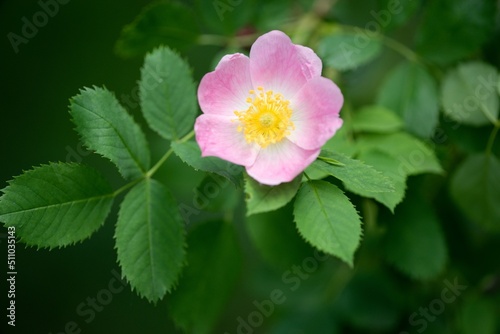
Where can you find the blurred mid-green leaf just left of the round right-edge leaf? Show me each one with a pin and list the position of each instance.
(411, 92)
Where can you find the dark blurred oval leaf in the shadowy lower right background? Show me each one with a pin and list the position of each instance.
(414, 242)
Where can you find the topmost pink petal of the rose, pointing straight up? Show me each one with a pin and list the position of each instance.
(279, 65)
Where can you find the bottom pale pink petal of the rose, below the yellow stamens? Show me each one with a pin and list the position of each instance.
(281, 162)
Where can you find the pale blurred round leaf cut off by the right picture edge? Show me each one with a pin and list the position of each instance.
(468, 94)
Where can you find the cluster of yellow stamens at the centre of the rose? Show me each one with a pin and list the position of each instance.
(268, 118)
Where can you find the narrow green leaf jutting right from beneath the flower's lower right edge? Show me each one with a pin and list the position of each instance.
(356, 176)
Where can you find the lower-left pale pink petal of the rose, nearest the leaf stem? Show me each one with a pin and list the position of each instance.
(218, 136)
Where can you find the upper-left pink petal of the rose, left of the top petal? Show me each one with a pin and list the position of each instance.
(225, 90)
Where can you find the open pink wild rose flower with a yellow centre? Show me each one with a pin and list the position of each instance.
(270, 112)
